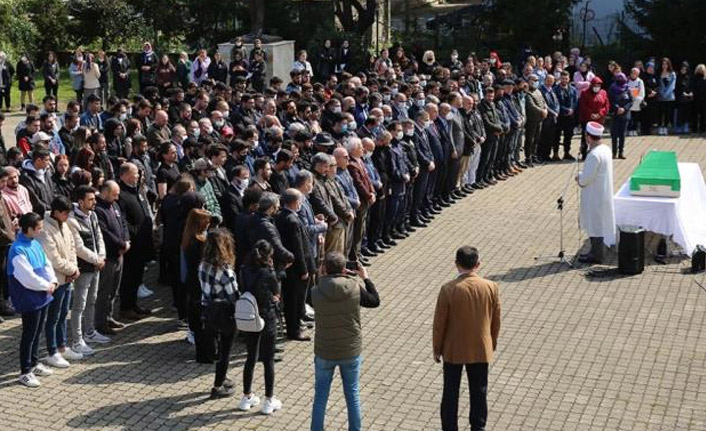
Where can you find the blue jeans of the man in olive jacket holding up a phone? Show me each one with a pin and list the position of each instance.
(350, 374)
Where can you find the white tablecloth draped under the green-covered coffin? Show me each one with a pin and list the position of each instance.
(682, 218)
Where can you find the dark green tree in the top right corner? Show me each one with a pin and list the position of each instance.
(673, 28)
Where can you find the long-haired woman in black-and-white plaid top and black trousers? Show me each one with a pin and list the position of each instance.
(219, 291)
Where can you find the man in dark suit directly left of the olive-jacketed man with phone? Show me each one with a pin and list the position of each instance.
(294, 239)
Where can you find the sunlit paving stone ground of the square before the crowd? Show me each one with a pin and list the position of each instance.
(575, 352)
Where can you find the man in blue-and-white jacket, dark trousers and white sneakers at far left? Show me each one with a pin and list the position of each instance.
(31, 282)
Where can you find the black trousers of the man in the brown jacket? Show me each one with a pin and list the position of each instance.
(478, 389)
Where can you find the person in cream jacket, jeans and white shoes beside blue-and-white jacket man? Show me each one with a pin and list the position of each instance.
(58, 242)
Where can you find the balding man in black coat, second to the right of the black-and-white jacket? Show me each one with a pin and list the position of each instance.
(139, 223)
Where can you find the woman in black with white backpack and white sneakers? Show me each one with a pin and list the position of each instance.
(259, 278)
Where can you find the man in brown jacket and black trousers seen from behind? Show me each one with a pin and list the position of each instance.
(466, 327)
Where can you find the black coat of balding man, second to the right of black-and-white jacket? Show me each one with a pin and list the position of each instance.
(138, 219)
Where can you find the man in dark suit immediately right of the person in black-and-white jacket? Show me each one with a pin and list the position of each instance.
(116, 238)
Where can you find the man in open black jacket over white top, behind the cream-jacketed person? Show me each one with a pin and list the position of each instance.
(36, 177)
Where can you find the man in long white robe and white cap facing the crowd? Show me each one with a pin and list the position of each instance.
(597, 213)
